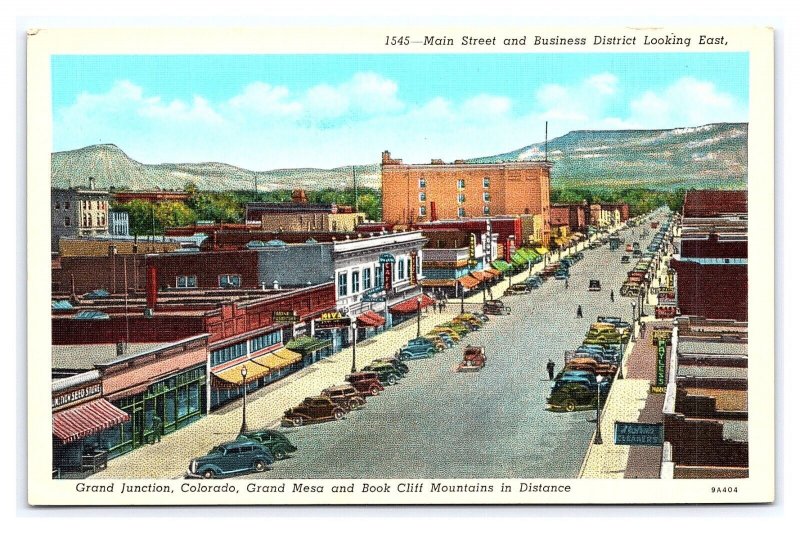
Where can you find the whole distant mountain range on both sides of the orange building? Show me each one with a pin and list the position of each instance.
(714, 156)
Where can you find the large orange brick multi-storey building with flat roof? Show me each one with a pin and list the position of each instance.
(423, 193)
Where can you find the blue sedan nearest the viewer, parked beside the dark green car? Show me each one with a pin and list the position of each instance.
(231, 458)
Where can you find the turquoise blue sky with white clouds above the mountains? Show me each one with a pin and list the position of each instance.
(278, 111)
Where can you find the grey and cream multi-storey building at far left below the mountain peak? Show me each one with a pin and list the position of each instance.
(78, 211)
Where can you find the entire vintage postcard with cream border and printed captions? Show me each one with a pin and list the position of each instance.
(400, 265)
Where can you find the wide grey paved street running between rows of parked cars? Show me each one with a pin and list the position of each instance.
(437, 423)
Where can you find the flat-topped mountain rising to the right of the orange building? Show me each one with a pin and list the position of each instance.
(714, 155)
